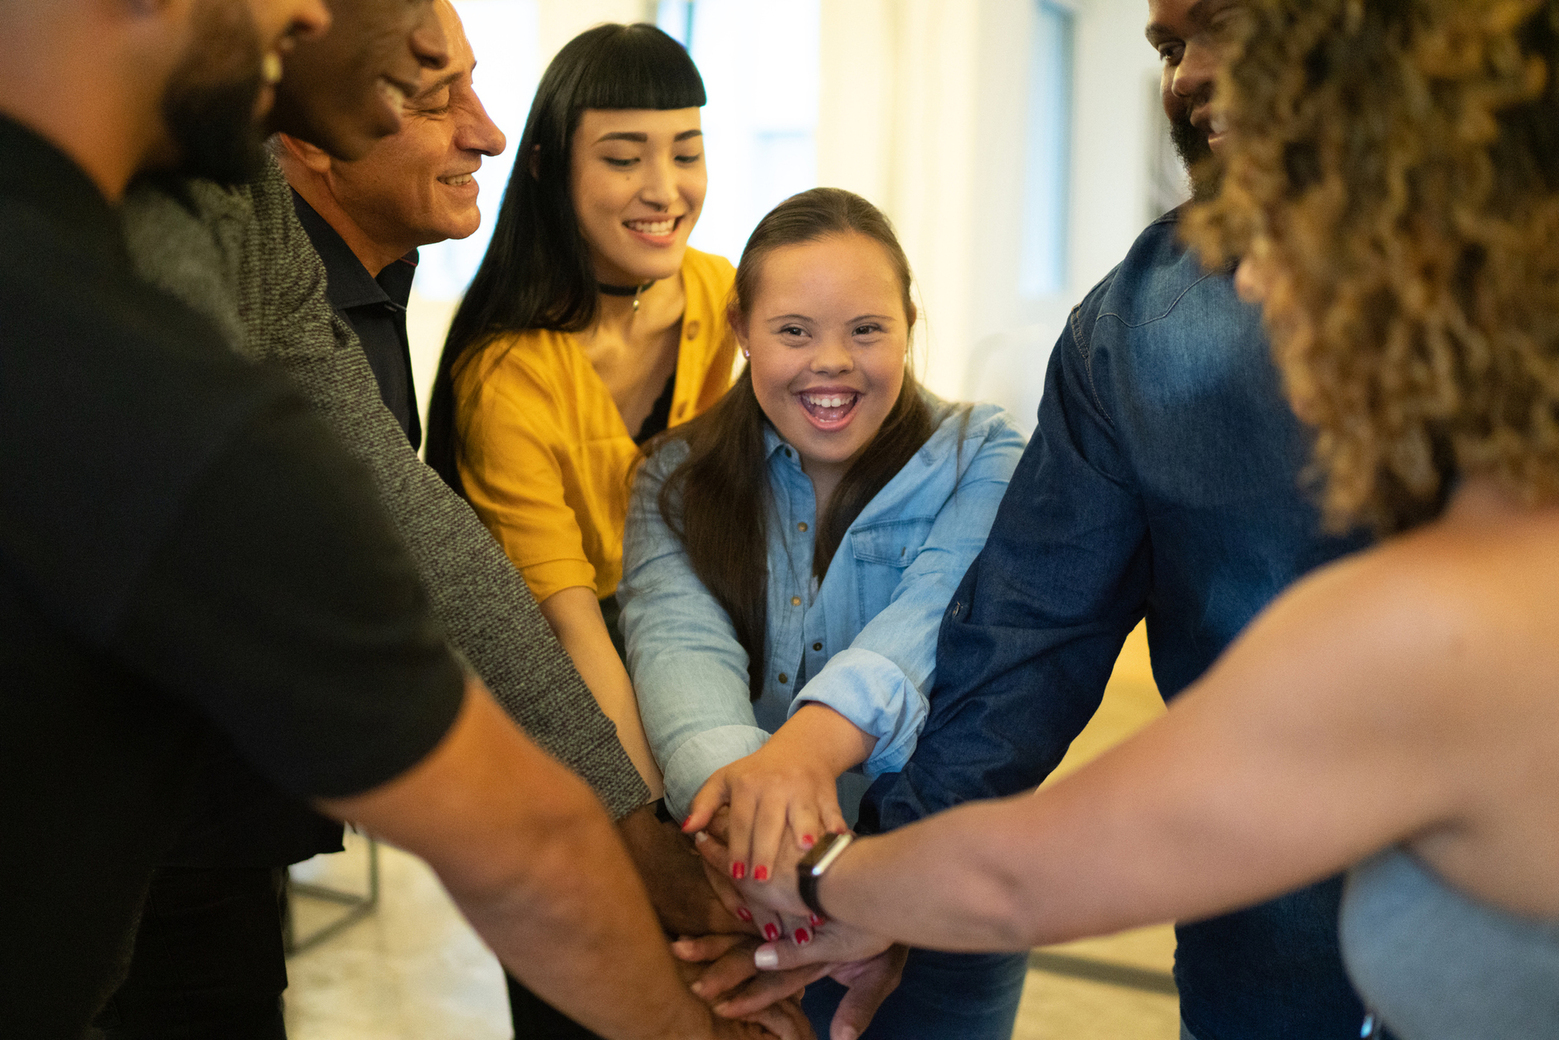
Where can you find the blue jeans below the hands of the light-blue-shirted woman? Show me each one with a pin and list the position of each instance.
(944, 997)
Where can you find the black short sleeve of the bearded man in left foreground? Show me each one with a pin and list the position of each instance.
(283, 607)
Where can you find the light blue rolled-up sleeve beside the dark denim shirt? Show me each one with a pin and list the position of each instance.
(880, 682)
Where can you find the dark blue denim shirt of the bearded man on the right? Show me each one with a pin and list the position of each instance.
(1164, 481)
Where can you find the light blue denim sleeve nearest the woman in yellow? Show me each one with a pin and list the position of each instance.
(688, 670)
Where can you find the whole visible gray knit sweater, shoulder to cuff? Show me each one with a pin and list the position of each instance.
(242, 260)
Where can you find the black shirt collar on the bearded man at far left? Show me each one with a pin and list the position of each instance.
(37, 172)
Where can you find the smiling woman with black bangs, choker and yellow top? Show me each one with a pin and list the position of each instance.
(589, 328)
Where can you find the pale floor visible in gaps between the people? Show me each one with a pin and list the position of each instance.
(414, 971)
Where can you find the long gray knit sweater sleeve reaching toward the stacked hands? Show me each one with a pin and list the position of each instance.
(478, 596)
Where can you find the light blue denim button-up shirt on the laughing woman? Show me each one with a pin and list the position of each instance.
(863, 643)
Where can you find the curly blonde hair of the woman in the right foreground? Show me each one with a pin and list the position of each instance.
(1395, 175)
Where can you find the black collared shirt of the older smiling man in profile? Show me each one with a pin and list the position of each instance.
(376, 311)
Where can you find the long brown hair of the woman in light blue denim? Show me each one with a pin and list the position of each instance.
(718, 500)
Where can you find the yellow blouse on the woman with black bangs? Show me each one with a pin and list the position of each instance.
(545, 455)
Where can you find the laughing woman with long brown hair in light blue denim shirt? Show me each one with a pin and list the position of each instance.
(787, 567)
